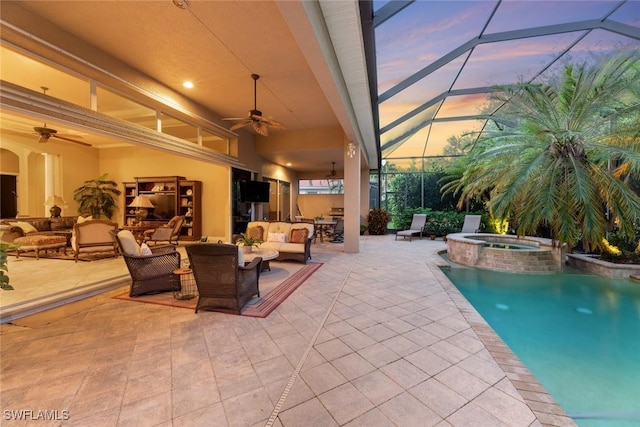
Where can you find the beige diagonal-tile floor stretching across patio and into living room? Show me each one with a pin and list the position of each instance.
(379, 338)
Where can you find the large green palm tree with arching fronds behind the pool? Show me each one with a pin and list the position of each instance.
(555, 160)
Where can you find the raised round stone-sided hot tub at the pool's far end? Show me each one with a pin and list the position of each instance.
(505, 252)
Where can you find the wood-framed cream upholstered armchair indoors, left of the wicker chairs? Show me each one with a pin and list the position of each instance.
(93, 236)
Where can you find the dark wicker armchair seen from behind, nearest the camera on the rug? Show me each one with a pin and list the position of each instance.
(222, 284)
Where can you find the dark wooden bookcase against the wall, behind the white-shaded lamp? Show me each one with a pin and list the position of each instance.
(172, 195)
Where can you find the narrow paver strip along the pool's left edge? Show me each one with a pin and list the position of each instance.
(546, 409)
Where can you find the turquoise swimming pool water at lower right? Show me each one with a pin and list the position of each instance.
(578, 334)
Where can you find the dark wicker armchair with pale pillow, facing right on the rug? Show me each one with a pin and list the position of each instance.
(153, 273)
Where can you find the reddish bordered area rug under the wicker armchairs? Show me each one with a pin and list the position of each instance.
(273, 290)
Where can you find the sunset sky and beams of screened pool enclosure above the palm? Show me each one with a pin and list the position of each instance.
(437, 61)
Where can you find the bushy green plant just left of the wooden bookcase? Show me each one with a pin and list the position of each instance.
(97, 197)
